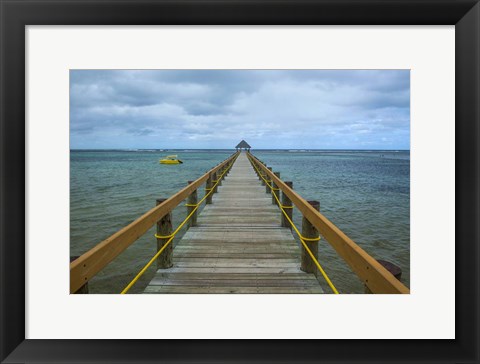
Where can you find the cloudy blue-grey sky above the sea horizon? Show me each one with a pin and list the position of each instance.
(288, 109)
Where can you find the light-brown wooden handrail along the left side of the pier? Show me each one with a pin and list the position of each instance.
(84, 268)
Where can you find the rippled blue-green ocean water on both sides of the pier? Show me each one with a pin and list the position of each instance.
(365, 193)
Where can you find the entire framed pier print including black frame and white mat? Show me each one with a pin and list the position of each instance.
(419, 57)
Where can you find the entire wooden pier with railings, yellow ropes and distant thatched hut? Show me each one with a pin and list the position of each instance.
(241, 242)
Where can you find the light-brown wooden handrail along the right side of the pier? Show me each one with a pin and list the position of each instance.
(372, 273)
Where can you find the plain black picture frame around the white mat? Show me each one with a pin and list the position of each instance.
(16, 14)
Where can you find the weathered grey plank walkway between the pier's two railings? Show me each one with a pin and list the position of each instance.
(238, 245)
